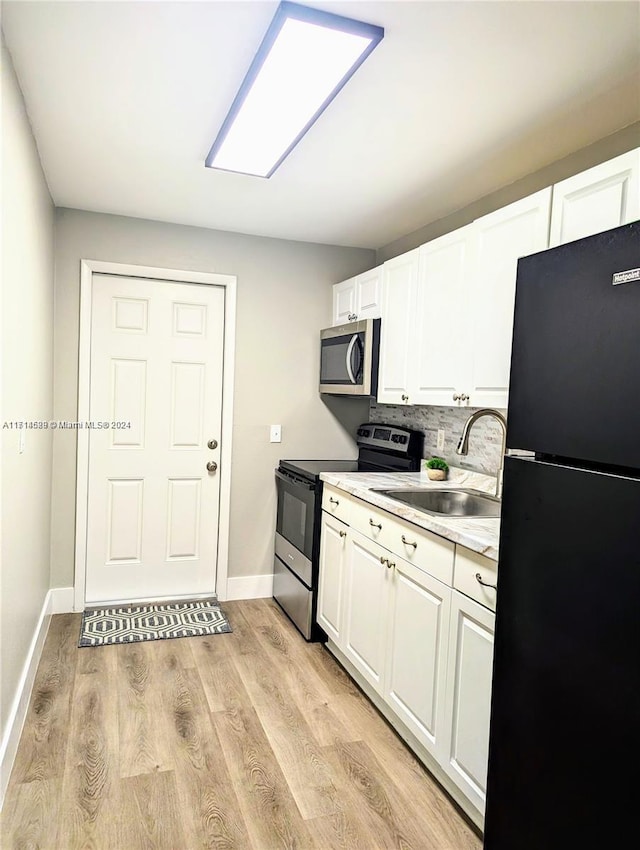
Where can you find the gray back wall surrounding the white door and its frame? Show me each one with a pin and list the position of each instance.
(284, 297)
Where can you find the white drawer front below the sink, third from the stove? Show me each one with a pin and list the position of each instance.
(425, 550)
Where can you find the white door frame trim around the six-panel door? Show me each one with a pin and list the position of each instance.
(87, 269)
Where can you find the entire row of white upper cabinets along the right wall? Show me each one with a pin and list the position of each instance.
(447, 307)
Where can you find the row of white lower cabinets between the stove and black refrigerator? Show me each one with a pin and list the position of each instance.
(424, 648)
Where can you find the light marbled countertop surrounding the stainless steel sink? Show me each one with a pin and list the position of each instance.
(478, 533)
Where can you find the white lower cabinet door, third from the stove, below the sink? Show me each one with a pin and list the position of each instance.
(417, 643)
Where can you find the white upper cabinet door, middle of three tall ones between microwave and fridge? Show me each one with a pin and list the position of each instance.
(442, 364)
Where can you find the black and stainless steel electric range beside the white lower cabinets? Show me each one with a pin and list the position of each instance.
(381, 448)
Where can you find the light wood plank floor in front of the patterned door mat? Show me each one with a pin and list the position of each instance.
(254, 740)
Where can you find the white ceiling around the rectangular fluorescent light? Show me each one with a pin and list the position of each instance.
(459, 99)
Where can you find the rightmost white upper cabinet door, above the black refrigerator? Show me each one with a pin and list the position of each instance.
(597, 199)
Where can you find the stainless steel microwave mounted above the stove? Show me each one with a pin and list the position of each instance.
(349, 358)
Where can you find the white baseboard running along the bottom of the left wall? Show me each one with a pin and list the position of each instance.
(20, 705)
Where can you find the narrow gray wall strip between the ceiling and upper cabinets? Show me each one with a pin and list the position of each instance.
(620, 142)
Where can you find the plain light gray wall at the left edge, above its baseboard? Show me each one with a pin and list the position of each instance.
(27, 331)
